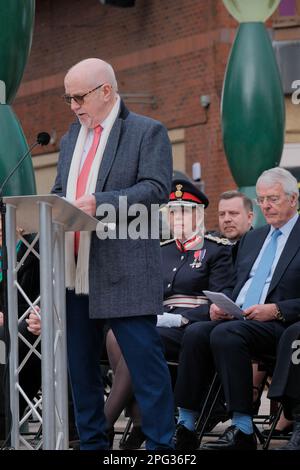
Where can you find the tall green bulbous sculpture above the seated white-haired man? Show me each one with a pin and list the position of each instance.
(253, 110)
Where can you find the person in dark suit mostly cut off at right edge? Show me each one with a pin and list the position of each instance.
(285, 386)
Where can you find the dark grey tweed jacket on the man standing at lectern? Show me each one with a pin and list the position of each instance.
(125, 275)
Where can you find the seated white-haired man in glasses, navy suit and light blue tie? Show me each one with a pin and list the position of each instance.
(266, 286)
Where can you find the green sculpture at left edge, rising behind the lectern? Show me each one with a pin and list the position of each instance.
(16, 29)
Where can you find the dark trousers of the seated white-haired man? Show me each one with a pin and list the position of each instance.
(228, 347)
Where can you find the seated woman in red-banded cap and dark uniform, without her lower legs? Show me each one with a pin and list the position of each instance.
(192, 262)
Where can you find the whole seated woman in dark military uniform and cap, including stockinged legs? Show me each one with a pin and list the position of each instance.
(192, 262)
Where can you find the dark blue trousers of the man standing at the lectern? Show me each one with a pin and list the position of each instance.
(142, 350)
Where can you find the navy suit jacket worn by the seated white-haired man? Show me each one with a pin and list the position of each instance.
(284, 288)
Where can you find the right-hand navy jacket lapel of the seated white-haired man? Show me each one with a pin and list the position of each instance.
(291, 247)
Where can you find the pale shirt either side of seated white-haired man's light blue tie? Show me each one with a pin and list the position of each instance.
(281, 241)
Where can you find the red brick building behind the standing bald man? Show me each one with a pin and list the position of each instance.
(167, 54)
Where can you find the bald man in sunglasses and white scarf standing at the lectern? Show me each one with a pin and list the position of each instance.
(111, 156)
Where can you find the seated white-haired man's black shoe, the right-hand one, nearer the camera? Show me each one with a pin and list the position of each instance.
(232, 439)
